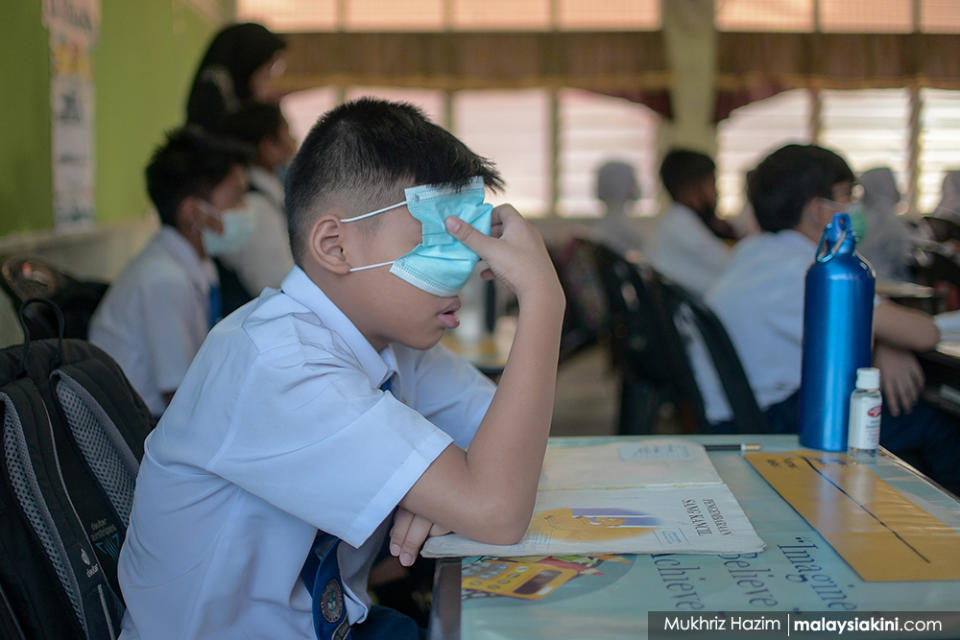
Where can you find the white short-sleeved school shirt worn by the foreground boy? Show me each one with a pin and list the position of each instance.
(280, 429)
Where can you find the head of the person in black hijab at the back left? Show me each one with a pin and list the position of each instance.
(239, 65)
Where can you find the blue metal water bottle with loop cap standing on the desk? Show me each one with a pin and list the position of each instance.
(837, 335)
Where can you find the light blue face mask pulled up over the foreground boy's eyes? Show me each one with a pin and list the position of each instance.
(440, 264)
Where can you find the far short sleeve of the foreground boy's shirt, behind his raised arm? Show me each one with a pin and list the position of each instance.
(452, 393)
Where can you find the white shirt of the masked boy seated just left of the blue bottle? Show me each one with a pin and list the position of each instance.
(759, 300)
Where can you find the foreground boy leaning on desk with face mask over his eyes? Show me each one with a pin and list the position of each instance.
(312, 413)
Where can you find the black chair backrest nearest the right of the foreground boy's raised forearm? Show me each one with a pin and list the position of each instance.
(643, 340)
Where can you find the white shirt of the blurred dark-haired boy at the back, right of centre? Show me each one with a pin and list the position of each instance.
(686, 251)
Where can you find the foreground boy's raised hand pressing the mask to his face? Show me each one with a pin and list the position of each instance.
(514, 250)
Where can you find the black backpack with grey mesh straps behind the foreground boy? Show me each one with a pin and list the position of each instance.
(72, 439)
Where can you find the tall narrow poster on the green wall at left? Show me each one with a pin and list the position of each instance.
(73, 26)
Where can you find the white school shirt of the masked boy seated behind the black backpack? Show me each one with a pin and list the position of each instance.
(156, 314)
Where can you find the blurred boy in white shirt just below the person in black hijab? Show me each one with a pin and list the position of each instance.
(266, 260)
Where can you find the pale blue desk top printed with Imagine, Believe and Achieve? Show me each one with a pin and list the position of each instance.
(615, 605)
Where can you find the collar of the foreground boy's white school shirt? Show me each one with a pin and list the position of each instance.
(301, 288)
